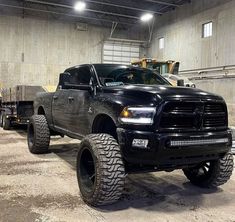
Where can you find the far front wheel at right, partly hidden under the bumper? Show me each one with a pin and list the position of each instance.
(211, 174)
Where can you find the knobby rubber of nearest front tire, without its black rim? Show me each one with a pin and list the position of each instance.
(111, 169)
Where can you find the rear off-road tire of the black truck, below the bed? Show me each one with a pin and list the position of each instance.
(38, 134)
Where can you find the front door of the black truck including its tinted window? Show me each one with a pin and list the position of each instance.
(79, 101)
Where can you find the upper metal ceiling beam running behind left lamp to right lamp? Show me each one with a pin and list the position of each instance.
(90, 10)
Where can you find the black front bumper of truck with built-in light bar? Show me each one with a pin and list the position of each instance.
(161, 154)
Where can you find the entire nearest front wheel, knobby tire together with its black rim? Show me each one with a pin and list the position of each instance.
(100, 170)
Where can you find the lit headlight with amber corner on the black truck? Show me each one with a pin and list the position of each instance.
(137, 115)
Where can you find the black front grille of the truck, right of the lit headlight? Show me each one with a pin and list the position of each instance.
(193, 116)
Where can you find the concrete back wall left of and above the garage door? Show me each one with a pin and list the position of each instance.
(34, 51)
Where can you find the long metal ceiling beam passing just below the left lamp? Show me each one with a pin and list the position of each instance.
(64, 14)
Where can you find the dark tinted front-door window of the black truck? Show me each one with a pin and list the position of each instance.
(80, 76)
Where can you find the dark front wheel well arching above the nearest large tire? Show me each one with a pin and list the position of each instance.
(104, 124)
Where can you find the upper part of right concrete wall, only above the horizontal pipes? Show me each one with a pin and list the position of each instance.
(182, 30)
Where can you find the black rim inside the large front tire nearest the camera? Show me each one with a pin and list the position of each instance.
(87, 170)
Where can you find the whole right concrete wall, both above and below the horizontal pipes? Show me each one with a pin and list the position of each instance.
(182, 30)
